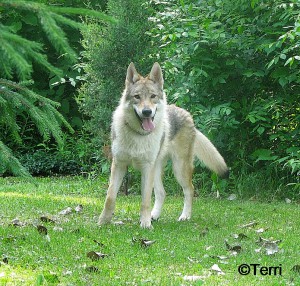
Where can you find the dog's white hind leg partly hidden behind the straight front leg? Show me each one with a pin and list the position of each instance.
(159, 192)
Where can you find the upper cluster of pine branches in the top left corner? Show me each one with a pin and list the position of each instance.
(18, 54)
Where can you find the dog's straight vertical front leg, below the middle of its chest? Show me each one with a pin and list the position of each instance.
(147, 187)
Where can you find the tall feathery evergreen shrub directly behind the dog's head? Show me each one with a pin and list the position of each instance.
(109, 50)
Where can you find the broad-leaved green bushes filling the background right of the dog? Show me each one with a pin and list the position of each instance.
(235, 66)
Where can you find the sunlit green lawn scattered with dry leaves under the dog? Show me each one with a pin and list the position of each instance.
(180, 249)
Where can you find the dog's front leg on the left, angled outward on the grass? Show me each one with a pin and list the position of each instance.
(118, 171)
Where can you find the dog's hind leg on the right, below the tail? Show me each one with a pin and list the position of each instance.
(183, 170)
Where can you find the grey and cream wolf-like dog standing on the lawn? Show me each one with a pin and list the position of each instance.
(146, 132)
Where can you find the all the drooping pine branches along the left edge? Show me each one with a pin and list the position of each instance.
(18, 56)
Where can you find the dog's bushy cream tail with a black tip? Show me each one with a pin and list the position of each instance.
(209, 155)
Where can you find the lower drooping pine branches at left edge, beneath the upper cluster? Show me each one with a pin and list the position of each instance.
(17, 100)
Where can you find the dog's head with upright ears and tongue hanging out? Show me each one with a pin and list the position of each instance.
(144, 95)
